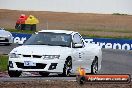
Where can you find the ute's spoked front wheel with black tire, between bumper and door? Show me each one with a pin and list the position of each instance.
(67, 67)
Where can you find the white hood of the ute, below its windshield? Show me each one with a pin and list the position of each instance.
(40, 50)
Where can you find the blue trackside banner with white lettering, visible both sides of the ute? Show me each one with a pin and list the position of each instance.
(123, 44)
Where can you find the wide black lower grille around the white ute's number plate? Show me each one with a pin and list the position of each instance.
(38, 66)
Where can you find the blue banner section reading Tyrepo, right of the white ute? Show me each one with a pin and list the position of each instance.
(123, 44)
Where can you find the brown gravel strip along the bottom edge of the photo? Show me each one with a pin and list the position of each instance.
(60, 84)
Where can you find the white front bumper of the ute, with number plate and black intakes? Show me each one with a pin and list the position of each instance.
(35, 64)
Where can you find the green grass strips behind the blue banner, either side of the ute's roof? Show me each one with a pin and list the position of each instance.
(89, 35)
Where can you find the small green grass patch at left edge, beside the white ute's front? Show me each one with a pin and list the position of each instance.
(3, 62)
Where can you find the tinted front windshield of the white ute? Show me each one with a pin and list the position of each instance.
(52, 39)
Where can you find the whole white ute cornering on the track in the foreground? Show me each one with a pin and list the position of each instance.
(54, 51)
